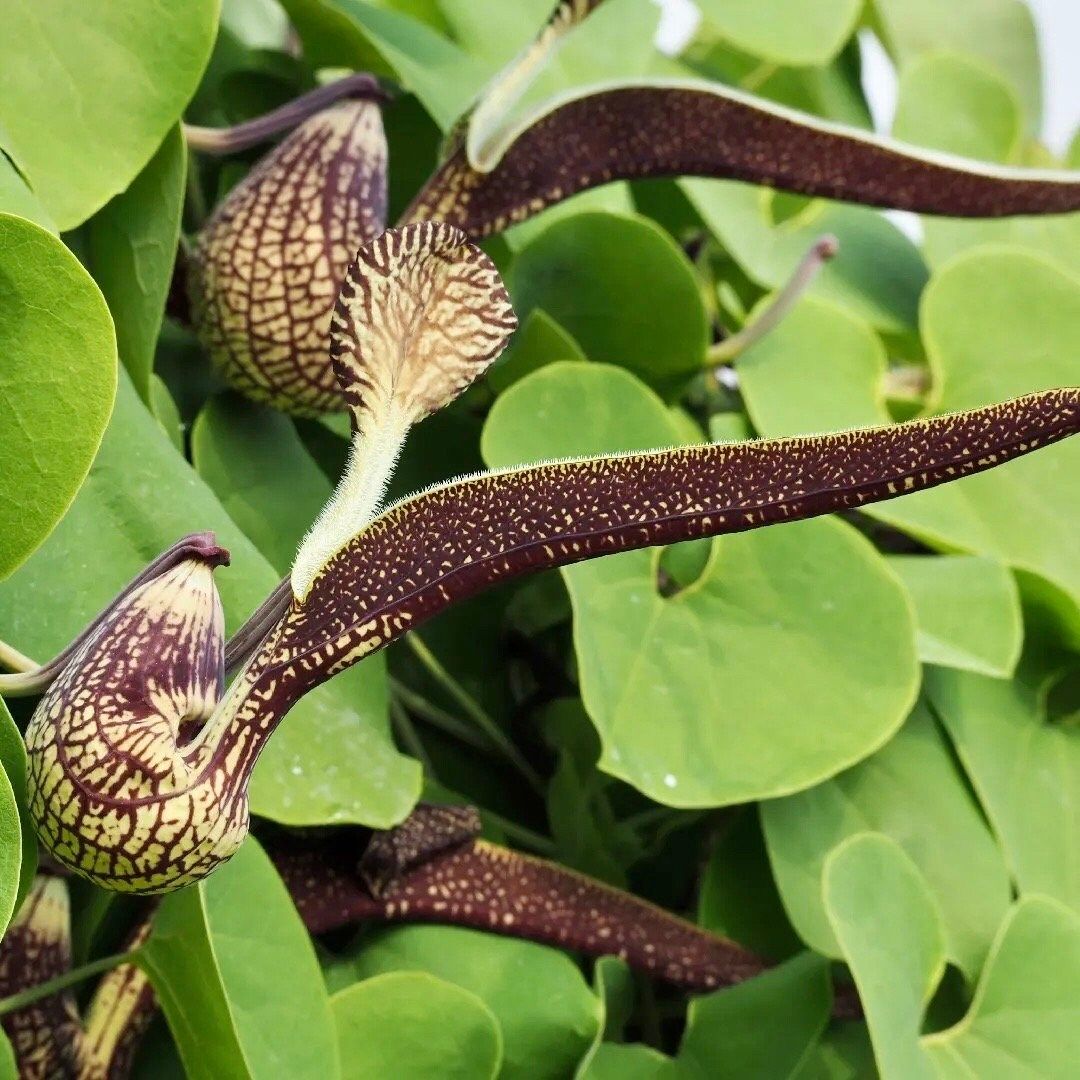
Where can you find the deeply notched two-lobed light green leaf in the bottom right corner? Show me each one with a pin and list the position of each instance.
(1025, 1018)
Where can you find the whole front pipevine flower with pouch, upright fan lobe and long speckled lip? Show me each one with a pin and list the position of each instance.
(140, 758)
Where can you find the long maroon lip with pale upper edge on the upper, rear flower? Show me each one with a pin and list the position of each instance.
(691, 128)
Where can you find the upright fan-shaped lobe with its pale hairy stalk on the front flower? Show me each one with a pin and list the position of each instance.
(422, 314)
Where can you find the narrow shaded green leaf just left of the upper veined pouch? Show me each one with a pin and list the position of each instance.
(132, 251)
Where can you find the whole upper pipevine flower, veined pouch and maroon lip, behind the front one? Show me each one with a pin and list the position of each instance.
(269, 264)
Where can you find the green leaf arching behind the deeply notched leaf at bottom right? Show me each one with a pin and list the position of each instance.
(910, 791)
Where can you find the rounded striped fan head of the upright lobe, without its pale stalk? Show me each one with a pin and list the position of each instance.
(422, 314)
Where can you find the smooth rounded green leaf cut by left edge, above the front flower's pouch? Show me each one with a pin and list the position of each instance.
(58, 382)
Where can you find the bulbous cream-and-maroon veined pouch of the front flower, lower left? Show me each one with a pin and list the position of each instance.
(120, 787)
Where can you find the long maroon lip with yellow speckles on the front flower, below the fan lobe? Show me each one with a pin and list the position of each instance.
(458, 539)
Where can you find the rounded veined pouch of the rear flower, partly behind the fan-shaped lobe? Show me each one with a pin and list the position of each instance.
(268, 266)
